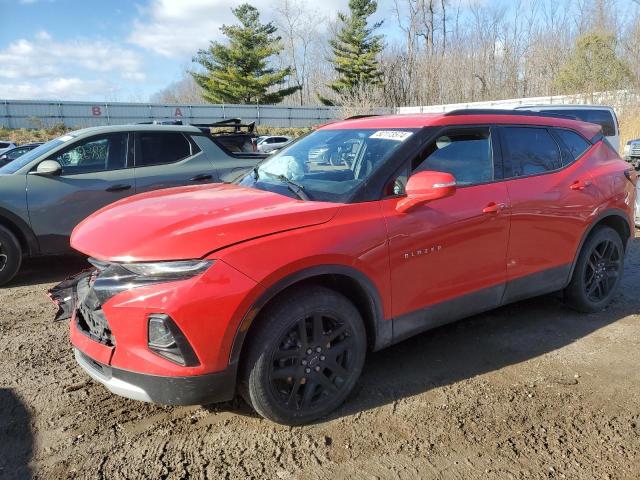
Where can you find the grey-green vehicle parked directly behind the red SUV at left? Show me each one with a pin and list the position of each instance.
(76, 174)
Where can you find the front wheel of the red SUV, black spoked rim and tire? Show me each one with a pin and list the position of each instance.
(305, 356)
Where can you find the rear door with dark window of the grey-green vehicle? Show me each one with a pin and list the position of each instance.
(170, 159)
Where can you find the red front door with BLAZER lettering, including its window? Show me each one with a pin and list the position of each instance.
(447, 257)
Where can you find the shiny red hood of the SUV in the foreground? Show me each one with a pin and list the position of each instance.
(190, 222)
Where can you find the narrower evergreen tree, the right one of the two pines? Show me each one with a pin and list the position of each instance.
(355, 48)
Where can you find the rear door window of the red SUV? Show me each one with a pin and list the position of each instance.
(531, 150)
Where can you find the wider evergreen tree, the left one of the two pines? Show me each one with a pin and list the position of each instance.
(239, 71)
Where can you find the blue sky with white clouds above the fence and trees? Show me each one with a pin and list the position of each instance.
(110, 50)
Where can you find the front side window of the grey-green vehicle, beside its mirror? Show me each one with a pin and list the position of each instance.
(96, 154)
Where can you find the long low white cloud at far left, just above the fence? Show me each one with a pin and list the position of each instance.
(43, 57)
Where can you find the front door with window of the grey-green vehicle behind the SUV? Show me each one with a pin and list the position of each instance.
(95, 173)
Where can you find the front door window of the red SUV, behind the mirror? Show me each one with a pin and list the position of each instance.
(466, 154)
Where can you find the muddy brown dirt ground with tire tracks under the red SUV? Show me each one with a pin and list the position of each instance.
(532, 390)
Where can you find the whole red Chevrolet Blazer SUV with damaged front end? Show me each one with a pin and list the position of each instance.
(277, 285)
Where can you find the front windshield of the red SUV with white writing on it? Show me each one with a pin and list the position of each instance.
(327, 165)
